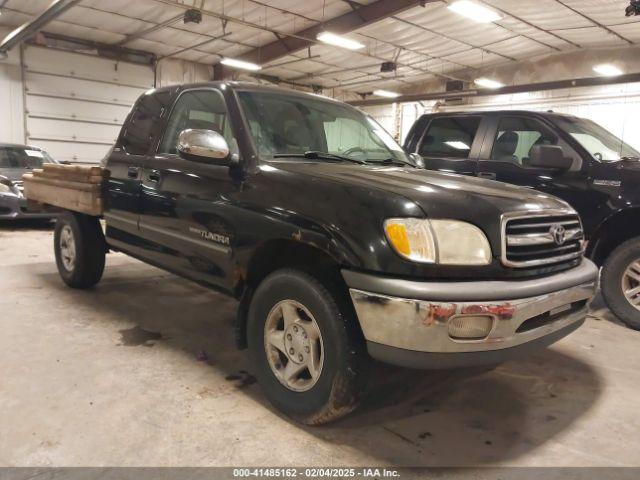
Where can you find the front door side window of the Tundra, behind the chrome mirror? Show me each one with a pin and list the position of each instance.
(198, 109)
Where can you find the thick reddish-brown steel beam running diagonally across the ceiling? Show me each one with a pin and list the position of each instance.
(358, 18)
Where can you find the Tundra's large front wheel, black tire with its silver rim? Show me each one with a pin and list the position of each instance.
(306, 349)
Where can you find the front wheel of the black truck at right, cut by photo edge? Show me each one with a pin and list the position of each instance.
(621, 282)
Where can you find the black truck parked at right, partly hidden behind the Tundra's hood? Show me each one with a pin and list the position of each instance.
(570, 157)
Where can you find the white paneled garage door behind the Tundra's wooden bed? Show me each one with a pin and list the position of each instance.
(76, 103)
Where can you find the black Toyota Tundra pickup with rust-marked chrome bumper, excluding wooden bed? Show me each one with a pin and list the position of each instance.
(338, 248)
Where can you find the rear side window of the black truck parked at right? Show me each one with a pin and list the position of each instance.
(450, 137)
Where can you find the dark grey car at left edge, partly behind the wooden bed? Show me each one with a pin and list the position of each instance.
(15, 160)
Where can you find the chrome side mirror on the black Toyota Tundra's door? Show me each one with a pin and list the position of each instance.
(204, 146)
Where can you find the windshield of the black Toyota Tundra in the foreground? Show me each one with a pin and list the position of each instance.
(282, 124)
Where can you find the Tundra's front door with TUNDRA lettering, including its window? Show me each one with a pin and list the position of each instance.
(185, 213)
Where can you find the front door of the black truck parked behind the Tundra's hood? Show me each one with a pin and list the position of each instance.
(505, 158)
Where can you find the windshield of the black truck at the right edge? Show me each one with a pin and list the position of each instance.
(600, 143)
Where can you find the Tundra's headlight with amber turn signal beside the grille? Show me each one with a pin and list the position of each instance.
(446, 242)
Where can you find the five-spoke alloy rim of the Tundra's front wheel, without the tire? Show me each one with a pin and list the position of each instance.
(293, 344)
